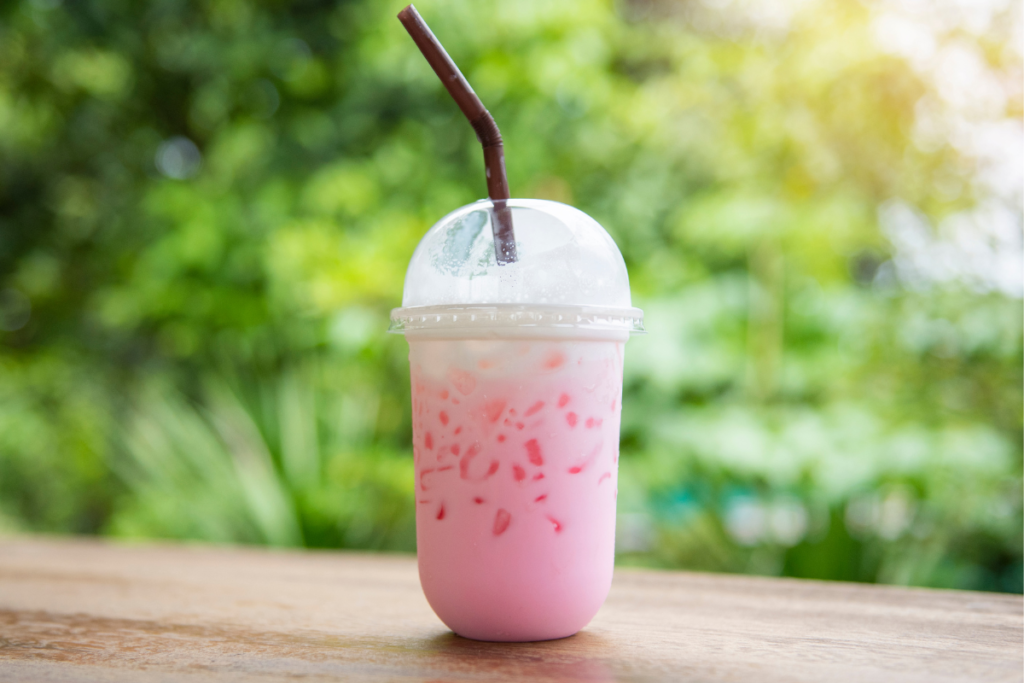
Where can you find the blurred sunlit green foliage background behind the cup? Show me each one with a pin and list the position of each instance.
(207, 208)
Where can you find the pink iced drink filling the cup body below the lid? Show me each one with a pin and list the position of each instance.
(517, 450)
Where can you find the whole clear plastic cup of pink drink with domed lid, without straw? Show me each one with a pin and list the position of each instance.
(517, 380)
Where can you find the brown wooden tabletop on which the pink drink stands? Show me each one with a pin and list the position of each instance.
(76, 610)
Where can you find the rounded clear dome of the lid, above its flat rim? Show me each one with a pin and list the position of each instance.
(565, 258)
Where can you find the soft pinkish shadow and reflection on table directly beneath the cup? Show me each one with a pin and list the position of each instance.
(584, 657)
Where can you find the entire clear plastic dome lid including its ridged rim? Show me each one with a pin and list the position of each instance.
(569, 275)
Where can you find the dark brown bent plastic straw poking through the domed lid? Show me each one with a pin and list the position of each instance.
(480, 119)
